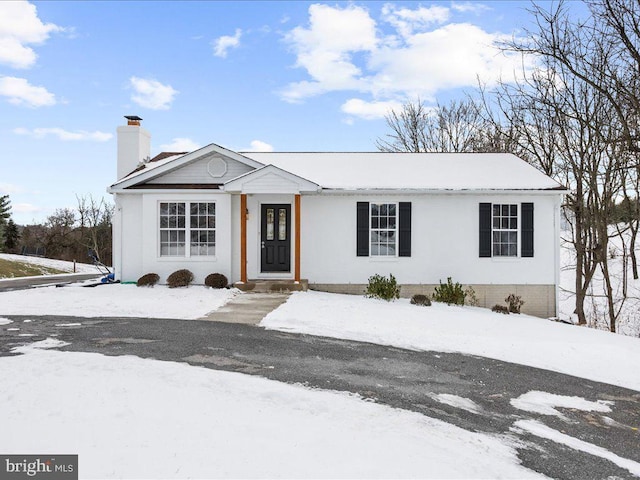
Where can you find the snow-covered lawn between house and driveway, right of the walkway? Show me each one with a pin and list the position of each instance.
(477, 331)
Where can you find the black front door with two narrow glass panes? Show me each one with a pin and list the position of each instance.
(275, 243)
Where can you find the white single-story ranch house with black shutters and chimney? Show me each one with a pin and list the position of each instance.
(331, 220)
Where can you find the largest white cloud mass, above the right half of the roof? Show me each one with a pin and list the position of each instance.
(406, 53)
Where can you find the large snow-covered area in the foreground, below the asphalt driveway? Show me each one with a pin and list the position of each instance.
(128, 417)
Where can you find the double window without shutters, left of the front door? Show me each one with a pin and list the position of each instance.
(176, 226)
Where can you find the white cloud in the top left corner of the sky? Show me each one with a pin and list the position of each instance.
(19, 27)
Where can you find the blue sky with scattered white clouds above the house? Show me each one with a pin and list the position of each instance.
(283, 76)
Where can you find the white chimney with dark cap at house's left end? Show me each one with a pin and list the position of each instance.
(134, 146)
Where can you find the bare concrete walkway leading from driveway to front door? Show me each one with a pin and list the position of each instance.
(248, 308)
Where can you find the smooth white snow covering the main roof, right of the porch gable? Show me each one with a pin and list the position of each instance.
(420, 171)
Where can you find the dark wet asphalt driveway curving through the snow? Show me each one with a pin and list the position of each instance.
(399, 378)
